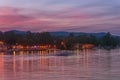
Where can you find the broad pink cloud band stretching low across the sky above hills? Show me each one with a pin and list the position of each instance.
(36, 20)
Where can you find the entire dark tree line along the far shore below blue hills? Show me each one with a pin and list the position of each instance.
(65, 42)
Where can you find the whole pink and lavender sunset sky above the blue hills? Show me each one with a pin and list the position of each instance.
(60, 15)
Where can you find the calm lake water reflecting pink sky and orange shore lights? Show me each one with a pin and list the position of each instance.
(83, 65)
